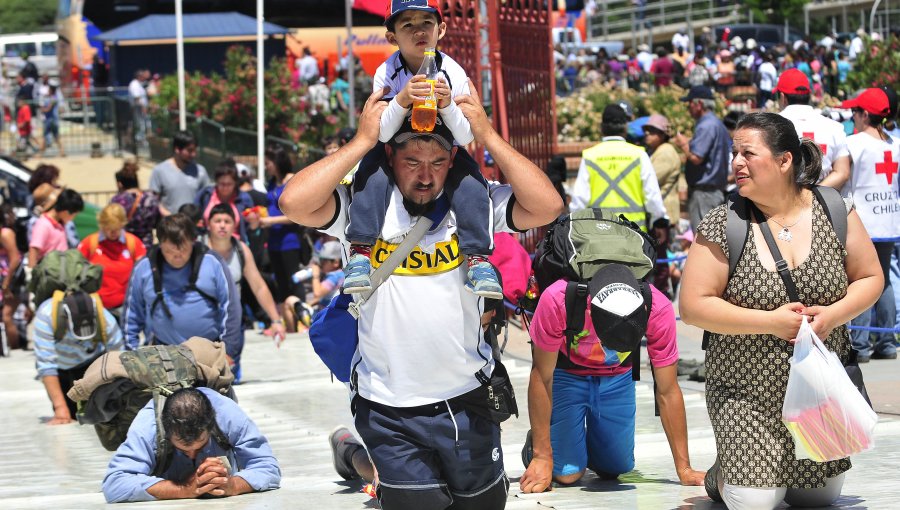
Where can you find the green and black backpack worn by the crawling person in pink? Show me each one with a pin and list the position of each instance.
(575, 247)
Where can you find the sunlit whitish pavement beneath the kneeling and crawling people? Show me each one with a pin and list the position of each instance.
(290, 396)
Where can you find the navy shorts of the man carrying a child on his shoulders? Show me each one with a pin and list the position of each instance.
(429, 459)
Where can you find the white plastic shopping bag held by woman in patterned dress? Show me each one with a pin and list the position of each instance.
(824, 412)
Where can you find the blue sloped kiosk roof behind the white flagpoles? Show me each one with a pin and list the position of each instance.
(217, 25)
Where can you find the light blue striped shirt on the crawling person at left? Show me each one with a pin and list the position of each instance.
(52, 356)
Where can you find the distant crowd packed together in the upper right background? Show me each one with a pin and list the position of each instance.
(722, 64)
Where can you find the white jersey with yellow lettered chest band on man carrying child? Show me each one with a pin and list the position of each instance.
(420, 338)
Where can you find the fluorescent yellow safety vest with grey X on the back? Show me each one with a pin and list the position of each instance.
(614, 173)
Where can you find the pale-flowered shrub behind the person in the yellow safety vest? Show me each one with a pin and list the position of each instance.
(578, 116)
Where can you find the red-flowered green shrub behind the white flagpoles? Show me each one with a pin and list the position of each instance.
(230, 100)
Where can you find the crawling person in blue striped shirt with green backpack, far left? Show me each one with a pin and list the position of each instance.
(71, 327)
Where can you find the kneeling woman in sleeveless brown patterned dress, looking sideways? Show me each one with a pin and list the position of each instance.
(754, 324)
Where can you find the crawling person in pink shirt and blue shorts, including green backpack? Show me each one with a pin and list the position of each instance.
(595, 307)
